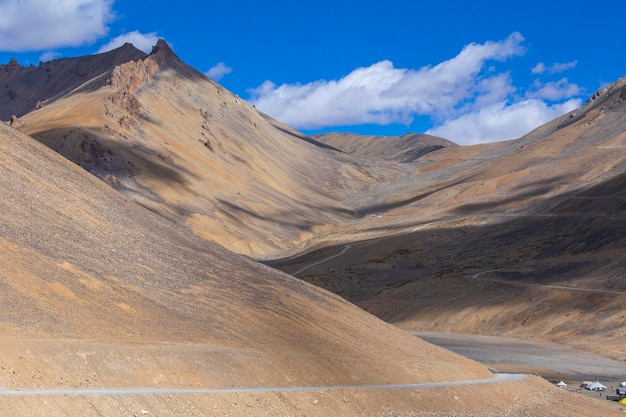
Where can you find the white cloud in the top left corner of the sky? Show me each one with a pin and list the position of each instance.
(37, 25)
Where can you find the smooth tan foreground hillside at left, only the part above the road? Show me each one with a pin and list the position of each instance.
(83, 265)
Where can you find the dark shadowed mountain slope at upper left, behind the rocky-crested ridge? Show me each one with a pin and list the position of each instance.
(24, 89)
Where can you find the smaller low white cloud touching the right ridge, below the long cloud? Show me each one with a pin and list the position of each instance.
(500, 121)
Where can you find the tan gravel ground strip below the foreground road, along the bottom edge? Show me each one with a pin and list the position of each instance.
(529, 398)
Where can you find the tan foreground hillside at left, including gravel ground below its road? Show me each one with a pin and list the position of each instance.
(101, 293)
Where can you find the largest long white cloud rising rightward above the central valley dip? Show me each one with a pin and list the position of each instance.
(384, 94)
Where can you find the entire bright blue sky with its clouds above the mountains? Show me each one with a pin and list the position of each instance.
(471, 72)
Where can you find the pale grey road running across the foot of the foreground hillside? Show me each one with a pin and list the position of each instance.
(497, 378)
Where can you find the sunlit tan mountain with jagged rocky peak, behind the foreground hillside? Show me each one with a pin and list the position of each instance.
(188, 149)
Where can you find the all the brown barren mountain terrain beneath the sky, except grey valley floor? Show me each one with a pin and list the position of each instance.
(139, 197)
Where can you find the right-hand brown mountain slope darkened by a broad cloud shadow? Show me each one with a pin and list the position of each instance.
(548, 208)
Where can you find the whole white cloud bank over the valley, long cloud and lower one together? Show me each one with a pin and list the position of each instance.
(465, 97)
